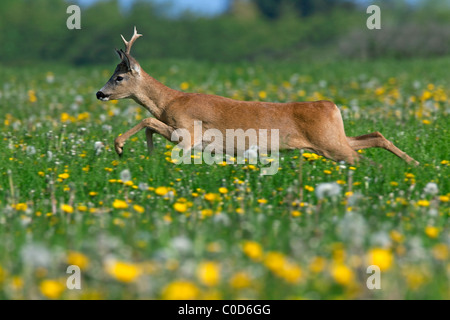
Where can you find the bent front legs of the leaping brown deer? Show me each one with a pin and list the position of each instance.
(152, 125)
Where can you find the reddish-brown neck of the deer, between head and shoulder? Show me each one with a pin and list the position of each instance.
(154, 96)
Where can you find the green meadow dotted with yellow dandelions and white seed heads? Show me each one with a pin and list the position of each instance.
(143, 227)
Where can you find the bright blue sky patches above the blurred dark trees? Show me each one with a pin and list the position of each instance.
(204, 7)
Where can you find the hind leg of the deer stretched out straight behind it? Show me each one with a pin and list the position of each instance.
(376, 140)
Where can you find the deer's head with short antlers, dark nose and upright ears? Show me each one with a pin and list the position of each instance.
(124, 83)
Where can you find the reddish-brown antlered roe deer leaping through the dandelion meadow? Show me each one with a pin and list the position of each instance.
(316, 126)
